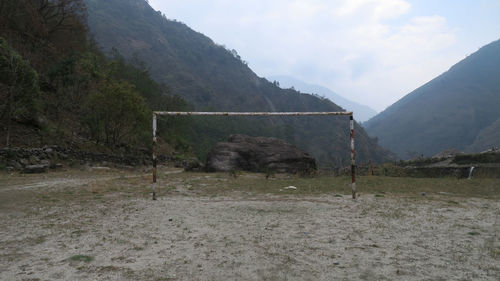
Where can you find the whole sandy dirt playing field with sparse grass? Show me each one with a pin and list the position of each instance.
(102, 225)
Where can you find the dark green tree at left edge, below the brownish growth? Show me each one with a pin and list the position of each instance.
(18, 88)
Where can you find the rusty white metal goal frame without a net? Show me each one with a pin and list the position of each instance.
(177, 113)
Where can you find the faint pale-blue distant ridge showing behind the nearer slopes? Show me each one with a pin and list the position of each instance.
(362, 112)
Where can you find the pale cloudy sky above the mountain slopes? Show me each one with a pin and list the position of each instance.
(370, 51)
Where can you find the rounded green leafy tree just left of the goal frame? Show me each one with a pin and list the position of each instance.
(116, 114)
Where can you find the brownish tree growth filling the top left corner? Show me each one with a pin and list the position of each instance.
(43, 30)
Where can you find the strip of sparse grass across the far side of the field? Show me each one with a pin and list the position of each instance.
(216, 185)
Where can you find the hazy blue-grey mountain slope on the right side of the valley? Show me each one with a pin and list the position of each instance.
(457, 109)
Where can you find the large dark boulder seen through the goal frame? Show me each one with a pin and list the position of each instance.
(259, 154)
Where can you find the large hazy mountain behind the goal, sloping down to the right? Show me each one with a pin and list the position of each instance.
(213, 78)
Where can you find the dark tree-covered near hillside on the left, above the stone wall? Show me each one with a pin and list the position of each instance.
(57, 88)
